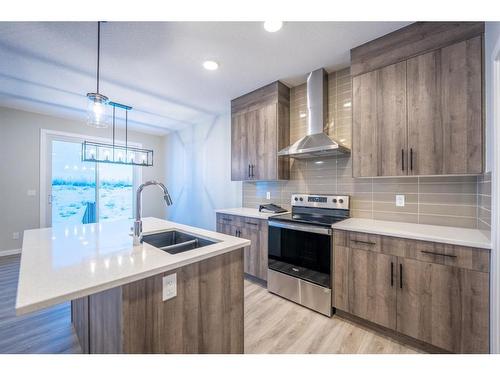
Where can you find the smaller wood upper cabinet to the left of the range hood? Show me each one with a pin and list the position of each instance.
(260, 127)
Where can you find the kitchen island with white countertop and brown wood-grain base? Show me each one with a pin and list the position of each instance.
(126, 299)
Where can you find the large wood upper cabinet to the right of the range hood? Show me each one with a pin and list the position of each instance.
(422, 114)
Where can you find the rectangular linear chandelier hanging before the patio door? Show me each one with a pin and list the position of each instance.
(117, 154)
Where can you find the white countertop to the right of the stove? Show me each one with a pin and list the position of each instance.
(423, 232)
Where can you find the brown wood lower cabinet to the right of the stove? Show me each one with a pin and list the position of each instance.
(434, 293)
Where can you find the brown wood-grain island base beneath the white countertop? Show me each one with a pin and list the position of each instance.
(206, 316)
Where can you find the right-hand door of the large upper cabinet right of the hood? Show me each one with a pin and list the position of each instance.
(445, 110)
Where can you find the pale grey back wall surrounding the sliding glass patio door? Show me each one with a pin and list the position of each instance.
(20, 168)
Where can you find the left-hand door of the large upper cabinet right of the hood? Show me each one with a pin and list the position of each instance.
(379, 122)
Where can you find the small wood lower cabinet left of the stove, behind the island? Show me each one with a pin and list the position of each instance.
(255, 230)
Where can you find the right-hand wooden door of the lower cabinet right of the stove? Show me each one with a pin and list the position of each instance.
(444, 306)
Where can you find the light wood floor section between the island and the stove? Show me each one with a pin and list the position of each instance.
(276, 325)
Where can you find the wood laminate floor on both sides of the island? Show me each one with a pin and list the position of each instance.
(272, 325)
